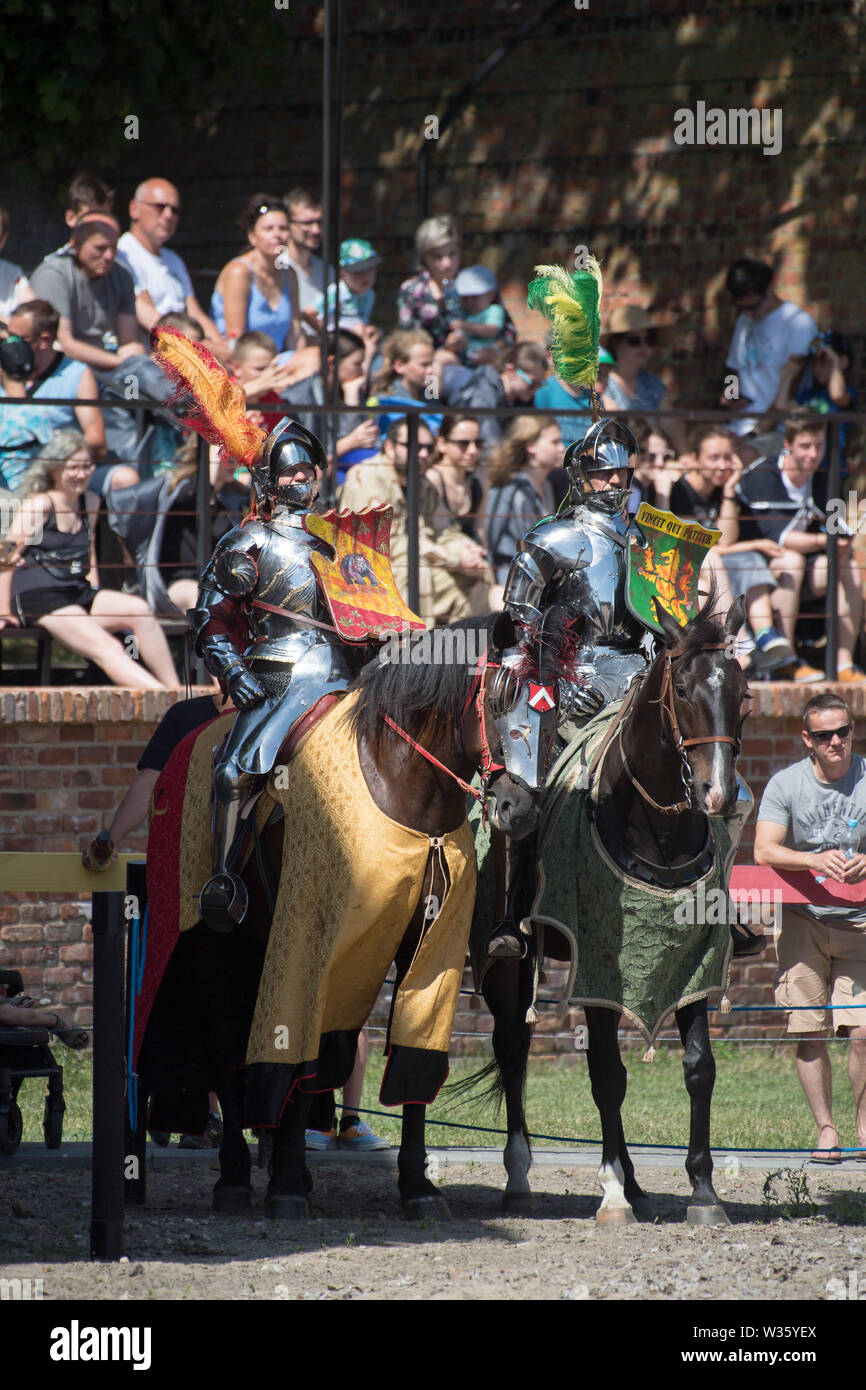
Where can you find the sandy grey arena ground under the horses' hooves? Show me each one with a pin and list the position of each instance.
(359, 1248)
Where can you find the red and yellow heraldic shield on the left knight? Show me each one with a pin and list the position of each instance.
(358, 583)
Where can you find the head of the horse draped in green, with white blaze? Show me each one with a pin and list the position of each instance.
(703, 689)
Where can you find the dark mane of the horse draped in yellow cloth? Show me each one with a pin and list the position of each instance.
(416, 690)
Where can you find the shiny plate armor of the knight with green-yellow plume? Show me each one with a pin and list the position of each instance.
(582, 561)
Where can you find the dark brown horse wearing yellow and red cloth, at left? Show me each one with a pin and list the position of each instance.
(425, 728)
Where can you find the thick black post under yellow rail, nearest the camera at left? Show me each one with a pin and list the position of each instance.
(109, 1129)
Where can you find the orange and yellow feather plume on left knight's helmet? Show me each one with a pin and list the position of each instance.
(222, 404)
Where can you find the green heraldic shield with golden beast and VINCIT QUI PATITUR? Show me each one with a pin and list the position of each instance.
(667, 568)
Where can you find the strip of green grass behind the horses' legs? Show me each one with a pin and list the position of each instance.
(757, 1104)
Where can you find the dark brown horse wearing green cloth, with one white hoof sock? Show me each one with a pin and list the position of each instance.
(672, 764)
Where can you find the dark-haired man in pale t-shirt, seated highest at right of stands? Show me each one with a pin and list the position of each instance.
(767, 334)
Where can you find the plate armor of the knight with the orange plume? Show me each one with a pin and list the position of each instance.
(275, 665)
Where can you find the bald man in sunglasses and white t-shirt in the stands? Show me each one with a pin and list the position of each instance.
(162, 280)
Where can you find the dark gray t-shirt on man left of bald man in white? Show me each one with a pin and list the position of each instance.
(91, 305)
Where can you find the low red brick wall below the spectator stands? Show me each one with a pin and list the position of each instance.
(67, 757)
